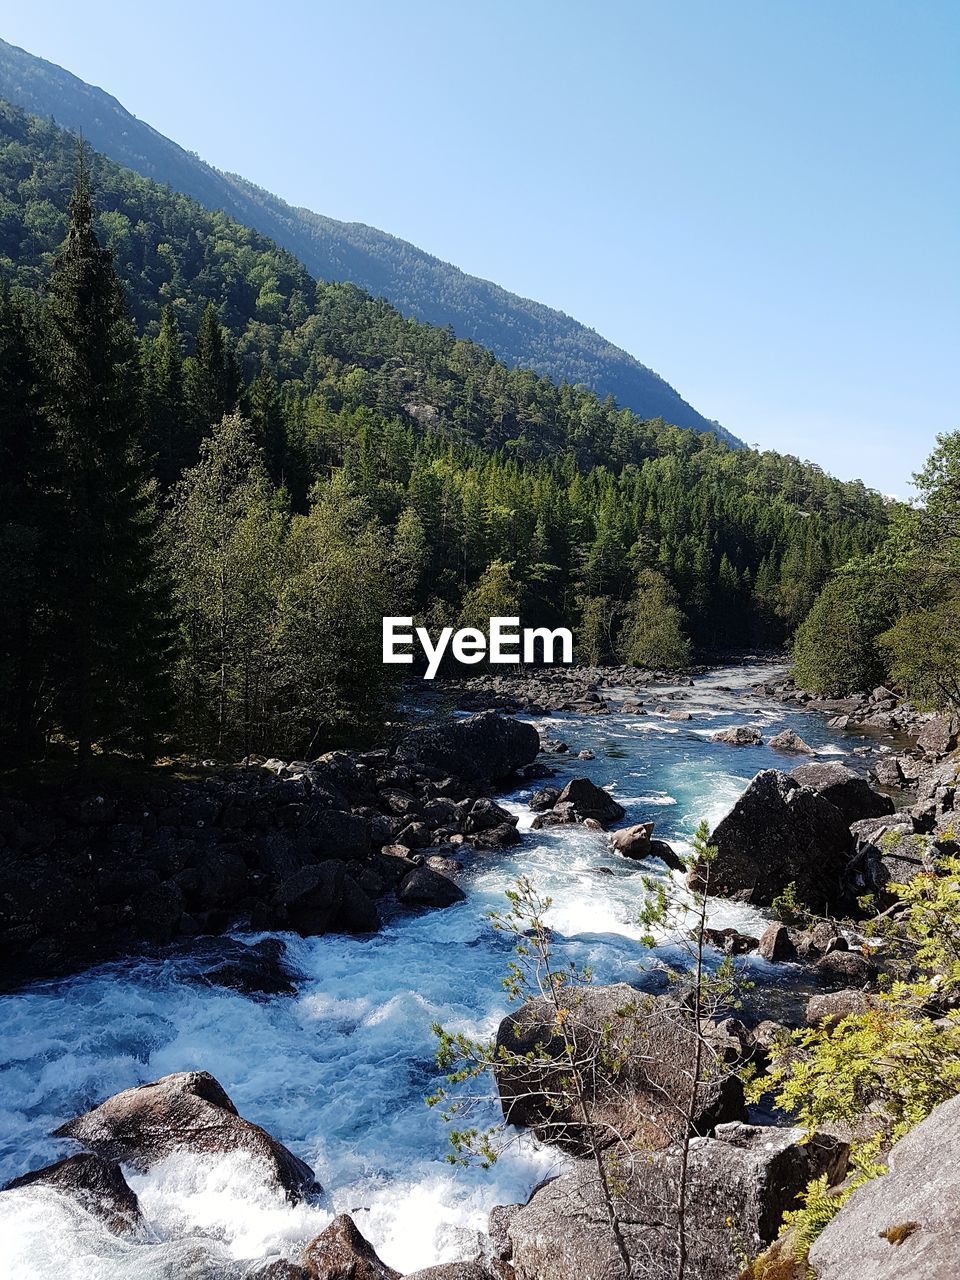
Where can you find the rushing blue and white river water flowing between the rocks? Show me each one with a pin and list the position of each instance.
(340, 1072)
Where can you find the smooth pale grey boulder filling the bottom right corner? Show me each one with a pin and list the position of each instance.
(907, 1224)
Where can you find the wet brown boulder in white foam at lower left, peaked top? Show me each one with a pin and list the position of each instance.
(186, 1112)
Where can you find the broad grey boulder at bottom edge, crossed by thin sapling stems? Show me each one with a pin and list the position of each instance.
(740, 1183)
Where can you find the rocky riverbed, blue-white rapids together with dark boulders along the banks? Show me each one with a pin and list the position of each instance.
(252, 1105)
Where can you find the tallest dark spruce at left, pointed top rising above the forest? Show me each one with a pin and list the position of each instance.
(111, 662)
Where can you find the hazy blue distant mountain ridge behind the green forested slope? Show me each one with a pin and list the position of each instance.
(518, 331)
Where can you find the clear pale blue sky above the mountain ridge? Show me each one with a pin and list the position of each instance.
(758, 199)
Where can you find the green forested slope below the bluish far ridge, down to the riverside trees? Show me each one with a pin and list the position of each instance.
(340, 463)
